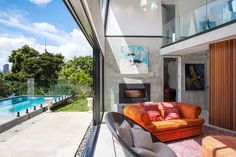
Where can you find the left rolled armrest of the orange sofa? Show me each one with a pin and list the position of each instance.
(138, 114)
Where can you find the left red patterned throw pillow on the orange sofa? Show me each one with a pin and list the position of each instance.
(152, 110)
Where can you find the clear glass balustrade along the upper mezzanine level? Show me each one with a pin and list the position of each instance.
(202, 15)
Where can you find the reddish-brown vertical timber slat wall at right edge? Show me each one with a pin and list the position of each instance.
(222, 106)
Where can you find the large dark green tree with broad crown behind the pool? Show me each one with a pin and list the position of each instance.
(29, 63)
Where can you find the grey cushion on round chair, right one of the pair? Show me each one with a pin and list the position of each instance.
(142, 139)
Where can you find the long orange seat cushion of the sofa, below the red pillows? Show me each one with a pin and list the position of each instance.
(176, 124)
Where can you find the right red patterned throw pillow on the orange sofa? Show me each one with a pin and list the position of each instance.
(170, 111)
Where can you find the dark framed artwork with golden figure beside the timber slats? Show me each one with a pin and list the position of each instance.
(194, 77)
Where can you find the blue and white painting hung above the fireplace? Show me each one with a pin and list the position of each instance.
(133, 60)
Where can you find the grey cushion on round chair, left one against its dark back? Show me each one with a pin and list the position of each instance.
(125, 133)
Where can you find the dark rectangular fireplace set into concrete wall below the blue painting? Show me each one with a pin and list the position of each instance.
(132, 93)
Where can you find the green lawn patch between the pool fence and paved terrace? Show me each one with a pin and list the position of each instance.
(79, 105)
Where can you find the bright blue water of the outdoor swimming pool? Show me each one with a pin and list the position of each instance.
(16, 104)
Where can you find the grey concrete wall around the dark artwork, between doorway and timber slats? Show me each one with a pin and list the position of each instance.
(195, 97)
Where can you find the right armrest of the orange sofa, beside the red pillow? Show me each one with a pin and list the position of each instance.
(189, 111)
